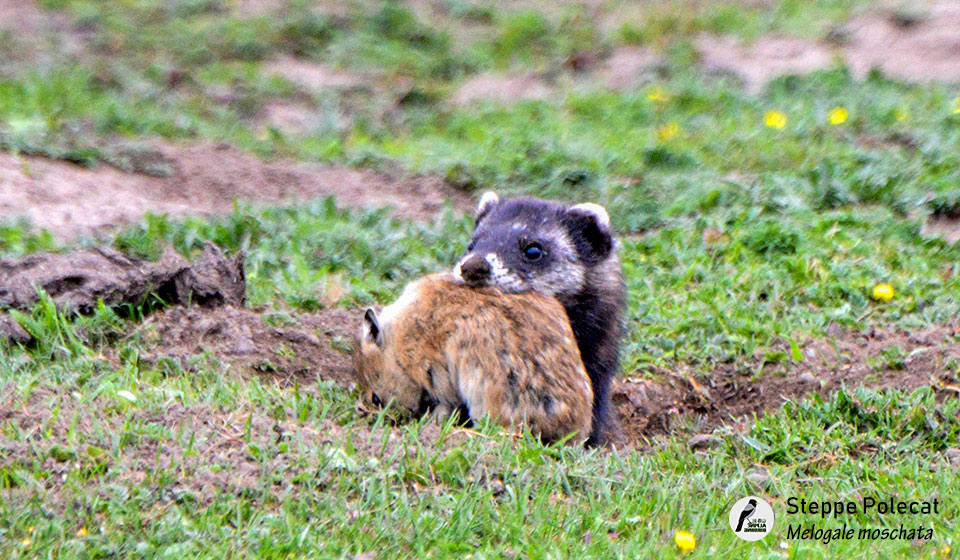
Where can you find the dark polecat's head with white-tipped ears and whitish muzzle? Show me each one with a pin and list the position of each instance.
(529, 244)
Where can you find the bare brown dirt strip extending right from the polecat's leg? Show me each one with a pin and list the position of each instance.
(876, 359)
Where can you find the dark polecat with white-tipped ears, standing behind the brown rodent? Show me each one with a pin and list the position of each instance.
(567, 252)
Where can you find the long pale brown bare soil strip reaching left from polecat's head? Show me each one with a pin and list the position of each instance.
(205, 179)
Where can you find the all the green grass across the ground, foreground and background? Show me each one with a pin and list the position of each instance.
(737, 239)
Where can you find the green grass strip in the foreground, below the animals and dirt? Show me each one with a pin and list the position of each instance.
(360, 491)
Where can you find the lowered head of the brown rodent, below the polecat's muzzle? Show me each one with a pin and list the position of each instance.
(380, 376)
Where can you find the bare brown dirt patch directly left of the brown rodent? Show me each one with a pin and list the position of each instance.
(304, 346)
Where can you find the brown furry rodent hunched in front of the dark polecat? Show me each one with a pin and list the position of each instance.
(512, 356)
